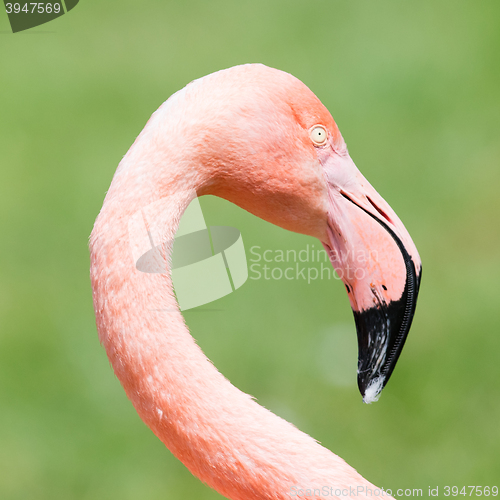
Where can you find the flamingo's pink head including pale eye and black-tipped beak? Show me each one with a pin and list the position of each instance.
(269, 145)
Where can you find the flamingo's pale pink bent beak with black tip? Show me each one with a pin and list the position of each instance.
(378, 262)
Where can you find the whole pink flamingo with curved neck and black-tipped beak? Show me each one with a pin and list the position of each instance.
(261, 139)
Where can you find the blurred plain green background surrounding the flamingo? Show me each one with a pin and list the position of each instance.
(415, 90)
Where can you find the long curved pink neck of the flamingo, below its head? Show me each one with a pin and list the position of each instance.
(224, 437)
